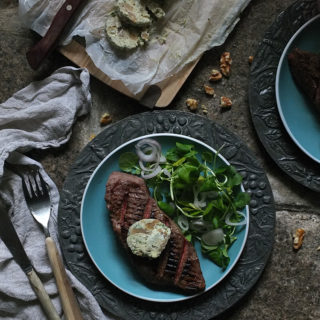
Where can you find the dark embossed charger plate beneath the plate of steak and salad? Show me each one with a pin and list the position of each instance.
(261, 230)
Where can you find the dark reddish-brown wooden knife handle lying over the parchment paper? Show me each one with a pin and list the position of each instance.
(41, 49)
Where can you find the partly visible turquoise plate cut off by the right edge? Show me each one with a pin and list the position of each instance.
(299, 116)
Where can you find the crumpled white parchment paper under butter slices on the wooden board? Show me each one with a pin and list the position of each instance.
(189, 28)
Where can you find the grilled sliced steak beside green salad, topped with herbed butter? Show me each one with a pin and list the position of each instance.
(128, 200)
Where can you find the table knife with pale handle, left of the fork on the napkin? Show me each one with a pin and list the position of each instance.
(10, 237)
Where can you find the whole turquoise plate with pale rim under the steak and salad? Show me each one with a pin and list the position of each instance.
(103, 247)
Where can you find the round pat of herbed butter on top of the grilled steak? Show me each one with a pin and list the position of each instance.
(148, 238)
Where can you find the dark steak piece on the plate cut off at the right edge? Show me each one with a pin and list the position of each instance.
(305, 68)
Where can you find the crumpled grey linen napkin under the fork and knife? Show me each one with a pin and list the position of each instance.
(39, 116)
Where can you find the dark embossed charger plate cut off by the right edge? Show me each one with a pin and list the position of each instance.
(262, 100)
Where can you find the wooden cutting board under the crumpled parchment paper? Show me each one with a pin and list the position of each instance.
(154, 96)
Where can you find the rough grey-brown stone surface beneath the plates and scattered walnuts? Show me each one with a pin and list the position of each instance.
(289, 286)
